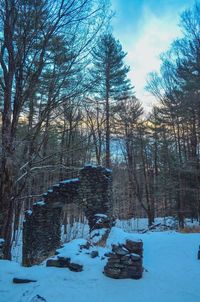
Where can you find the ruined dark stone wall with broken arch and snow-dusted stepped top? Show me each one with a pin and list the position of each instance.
(92, 190)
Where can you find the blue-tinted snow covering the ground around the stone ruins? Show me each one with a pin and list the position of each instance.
(172, 273)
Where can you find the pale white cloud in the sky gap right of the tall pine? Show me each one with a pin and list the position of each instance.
(143, 54)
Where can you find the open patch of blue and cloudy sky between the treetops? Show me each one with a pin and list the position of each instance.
(145, 29)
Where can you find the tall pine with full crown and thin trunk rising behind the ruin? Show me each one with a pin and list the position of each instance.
(109, 77)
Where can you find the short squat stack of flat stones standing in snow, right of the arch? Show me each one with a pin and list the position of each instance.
(125, 261)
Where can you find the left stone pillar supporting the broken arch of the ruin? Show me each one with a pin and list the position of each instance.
(41, 232)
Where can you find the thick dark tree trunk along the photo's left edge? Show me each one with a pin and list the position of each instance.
(7, 163)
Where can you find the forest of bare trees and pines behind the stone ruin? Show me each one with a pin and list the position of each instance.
(66, 100)
